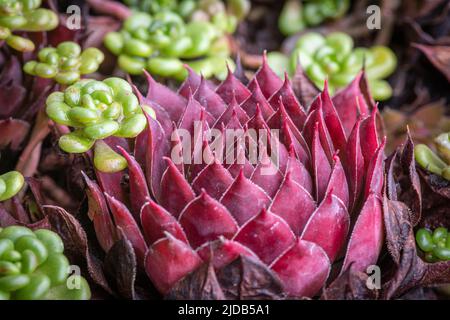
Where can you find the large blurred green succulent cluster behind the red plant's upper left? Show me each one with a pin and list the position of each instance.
(163, 40)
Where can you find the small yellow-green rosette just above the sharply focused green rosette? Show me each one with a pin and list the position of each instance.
(66, 63)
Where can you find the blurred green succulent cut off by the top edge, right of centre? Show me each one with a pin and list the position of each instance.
(297, 14)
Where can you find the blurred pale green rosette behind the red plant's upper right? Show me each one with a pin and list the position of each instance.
(334, 57)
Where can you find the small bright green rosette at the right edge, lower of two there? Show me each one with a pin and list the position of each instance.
(435, 244)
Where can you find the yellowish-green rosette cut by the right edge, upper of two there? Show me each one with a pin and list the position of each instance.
(437, 163)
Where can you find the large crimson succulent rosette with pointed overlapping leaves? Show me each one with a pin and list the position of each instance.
(292, 217)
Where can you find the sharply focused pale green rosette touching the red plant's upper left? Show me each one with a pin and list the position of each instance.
(96, 110)
